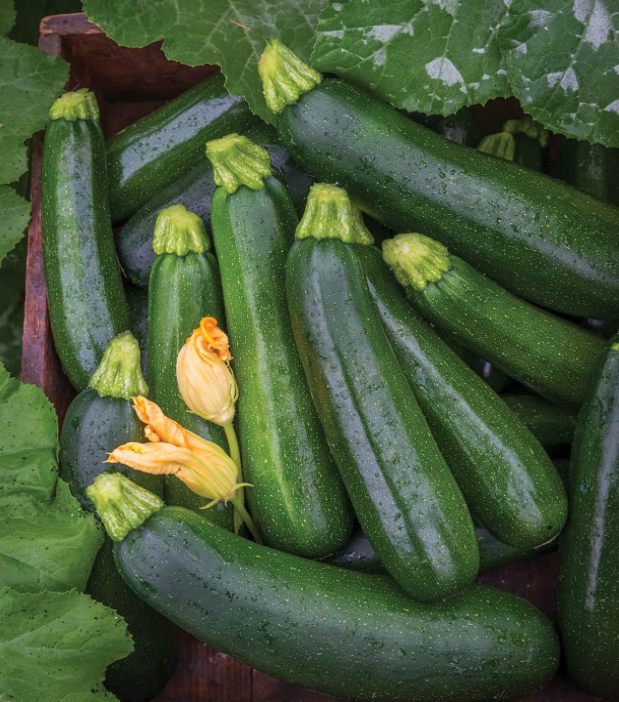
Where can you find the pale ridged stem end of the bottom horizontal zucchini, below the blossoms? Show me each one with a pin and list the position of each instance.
(121, 504)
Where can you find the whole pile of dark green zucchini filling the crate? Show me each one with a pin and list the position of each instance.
(399, 405)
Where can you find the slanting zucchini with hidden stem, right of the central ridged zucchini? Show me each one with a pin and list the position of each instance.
(508, 481)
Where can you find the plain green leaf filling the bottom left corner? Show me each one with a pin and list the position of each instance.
(56, 646)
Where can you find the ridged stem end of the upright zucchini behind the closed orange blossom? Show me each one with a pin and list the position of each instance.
(179, 231)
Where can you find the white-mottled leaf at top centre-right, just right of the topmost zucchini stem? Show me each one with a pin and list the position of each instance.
(431, 56)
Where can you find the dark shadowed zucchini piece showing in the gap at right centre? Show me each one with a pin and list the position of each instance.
(551, 425)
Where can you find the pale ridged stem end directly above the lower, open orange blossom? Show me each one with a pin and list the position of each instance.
(120, 373)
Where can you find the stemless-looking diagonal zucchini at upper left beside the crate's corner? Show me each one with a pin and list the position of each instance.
(153, 152)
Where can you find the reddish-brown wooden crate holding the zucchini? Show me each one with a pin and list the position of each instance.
(130, 83)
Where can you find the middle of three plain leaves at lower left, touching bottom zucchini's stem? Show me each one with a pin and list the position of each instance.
(47, 547)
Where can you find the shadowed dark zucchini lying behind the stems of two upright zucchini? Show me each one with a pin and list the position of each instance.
(194, 190)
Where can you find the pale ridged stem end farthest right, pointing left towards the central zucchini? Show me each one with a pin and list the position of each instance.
(416, 260)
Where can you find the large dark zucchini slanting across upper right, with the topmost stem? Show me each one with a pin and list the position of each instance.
(539, 238)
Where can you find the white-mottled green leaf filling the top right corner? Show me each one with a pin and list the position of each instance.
(563, 64)
